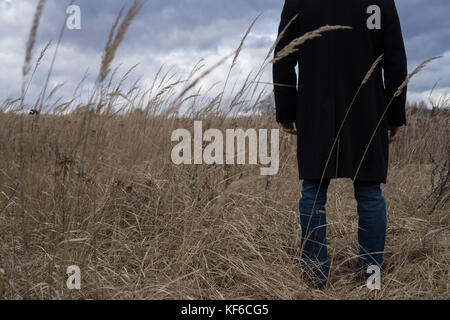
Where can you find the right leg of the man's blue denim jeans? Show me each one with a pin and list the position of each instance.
(372, 224)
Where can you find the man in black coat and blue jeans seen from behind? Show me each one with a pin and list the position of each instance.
(314, 105)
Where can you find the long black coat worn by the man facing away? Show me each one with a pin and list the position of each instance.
(331, 69)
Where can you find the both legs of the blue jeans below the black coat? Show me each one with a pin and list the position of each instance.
(371, 228)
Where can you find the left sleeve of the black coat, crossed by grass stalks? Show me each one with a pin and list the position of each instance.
(284, 75)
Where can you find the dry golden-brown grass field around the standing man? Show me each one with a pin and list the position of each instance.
(92, 184)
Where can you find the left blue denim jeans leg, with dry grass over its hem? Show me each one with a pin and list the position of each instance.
(313, 223)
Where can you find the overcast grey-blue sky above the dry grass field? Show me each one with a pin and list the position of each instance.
(178, 33)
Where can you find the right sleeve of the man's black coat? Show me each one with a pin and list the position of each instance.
(394, 64)
